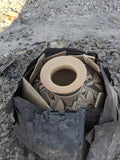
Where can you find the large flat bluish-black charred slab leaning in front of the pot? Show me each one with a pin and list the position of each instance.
(51, 135)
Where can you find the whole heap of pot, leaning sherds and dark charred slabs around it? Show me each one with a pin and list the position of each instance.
(82, 123)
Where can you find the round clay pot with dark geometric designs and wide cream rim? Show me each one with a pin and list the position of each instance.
(58, 74)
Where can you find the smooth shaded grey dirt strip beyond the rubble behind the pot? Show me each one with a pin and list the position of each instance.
(46, 20)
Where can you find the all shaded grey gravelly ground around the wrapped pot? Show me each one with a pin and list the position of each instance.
(89, 25)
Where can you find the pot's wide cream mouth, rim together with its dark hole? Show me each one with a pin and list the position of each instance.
(63, 75)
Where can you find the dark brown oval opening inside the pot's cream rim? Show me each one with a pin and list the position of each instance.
(63, 77)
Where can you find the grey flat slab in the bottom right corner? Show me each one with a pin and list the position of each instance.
(106, 144)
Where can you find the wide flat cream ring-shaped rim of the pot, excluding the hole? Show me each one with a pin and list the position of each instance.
(59, 63)
